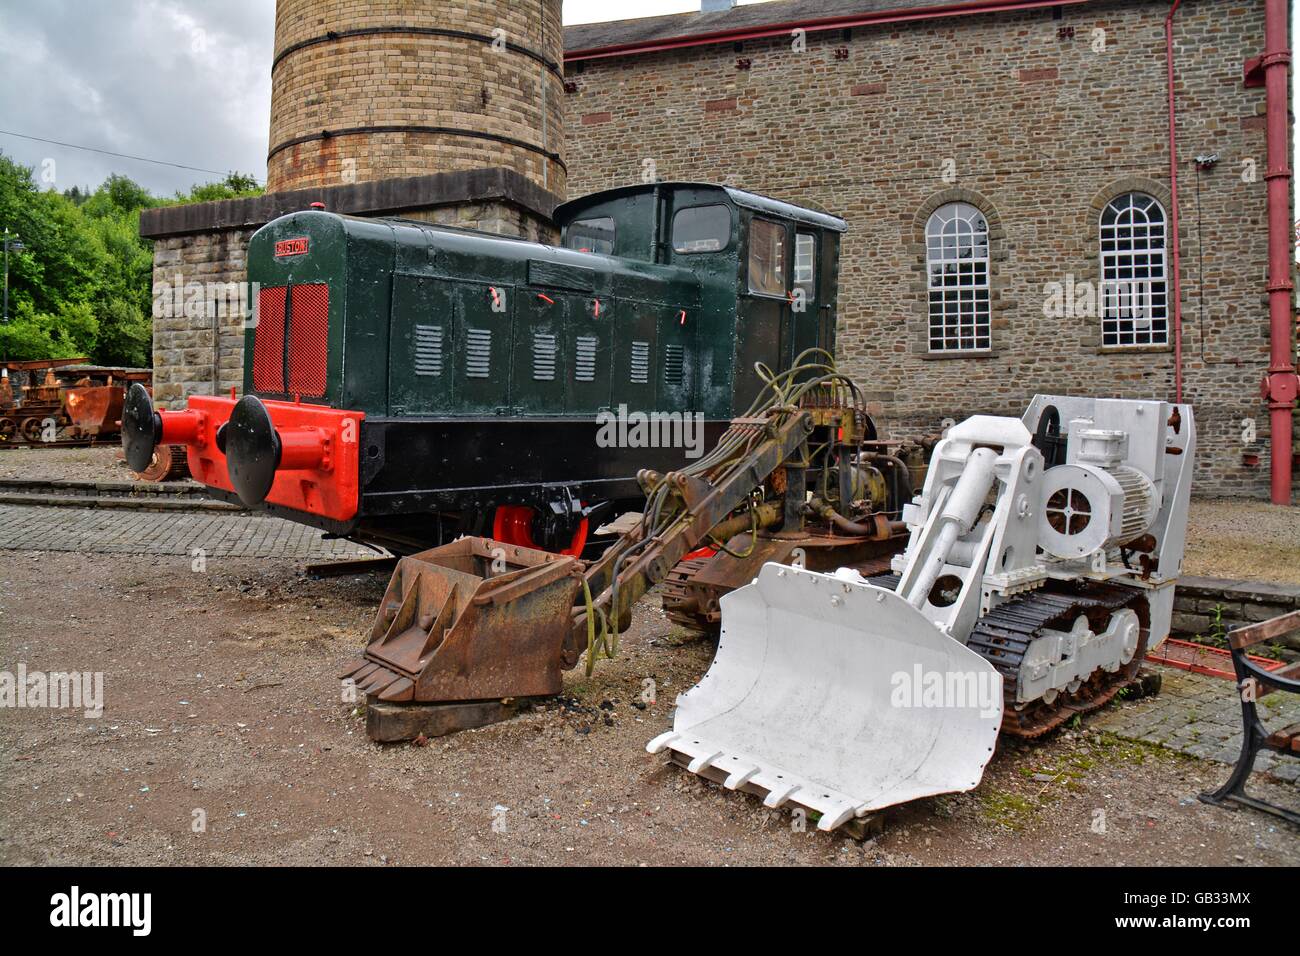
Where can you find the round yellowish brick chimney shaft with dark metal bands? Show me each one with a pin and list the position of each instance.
(413, 79)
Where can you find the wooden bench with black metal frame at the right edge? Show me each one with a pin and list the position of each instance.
(1253, 684)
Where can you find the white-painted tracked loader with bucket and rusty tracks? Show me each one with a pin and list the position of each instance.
(1041, 568)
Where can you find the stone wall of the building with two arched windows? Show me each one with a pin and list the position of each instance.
(1039, 127)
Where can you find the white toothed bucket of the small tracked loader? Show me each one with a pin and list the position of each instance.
(839, 697)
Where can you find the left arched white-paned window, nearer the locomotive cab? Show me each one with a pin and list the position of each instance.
(957, 278)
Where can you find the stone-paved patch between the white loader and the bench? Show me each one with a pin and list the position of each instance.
(1202, 716)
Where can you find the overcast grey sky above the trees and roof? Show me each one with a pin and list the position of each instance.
(181, 81)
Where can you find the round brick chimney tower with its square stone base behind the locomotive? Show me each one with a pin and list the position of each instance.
(449, 113)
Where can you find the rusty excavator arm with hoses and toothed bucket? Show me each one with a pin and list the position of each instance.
(469, 630)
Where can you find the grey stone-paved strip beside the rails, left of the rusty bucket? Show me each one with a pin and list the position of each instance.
(166, 533)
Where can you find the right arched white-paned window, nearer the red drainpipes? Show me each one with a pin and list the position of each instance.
(1134, 297)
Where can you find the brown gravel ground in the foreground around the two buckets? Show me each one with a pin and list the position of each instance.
(223, 708)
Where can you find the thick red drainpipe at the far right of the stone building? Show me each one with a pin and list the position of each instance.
(1280, 384)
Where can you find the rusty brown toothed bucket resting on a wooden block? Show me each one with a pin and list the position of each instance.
(471, 621)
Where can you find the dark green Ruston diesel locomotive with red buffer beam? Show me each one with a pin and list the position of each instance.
(406, 383)
